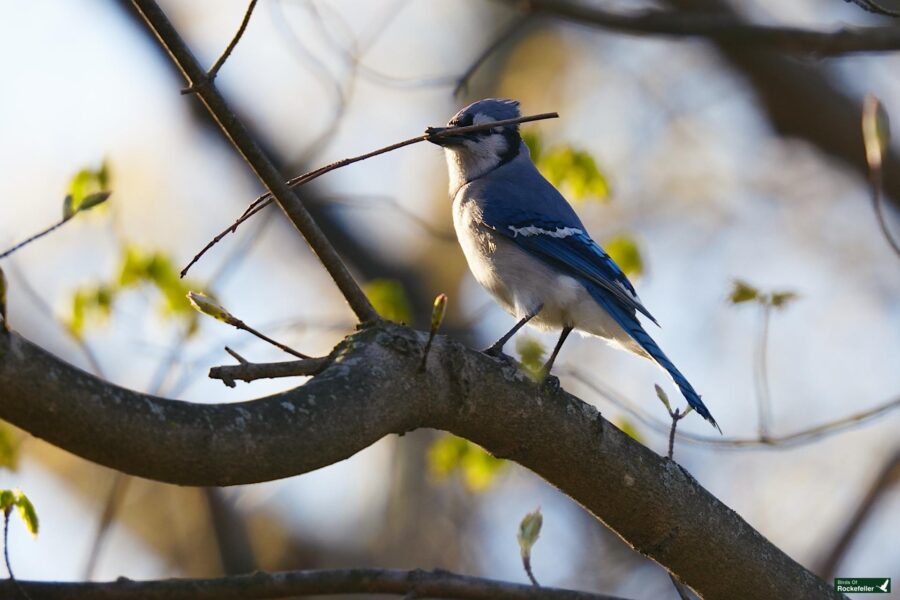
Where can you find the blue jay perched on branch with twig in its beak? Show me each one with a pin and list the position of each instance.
(528, 248)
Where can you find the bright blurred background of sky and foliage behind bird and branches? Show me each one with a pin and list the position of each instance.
(663, 150)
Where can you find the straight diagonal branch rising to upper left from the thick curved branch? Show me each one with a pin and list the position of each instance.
(256, 158)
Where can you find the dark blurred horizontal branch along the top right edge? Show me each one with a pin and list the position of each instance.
(725, 29)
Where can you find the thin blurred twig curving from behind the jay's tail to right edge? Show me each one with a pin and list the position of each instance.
(798, 438)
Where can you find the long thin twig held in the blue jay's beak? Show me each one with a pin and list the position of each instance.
(264, 200)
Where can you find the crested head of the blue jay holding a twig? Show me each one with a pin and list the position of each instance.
(471, 155)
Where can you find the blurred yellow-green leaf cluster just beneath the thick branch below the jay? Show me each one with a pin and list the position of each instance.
(450, 454)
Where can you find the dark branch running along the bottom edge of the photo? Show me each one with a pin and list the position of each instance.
(421, 584)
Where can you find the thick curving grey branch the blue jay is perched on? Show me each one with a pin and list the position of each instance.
(372, 388)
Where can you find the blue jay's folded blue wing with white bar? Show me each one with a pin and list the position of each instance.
(570, 249)
